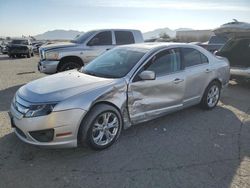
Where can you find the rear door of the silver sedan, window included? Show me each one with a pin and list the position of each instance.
(198, 73)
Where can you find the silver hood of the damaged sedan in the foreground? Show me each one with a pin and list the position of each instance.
(61, 86)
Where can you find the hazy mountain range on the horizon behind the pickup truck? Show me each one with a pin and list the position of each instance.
(70, 34)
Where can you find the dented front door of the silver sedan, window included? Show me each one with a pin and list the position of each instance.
(148, 99)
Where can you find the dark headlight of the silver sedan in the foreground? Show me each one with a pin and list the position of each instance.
(39, 110)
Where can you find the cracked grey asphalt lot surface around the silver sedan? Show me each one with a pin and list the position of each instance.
(191, 148)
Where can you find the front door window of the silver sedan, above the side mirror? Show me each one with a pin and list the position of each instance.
(165, 62)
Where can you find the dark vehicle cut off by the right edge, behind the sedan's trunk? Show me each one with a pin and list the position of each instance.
(237, 51)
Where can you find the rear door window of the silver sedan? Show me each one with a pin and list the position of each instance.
(193, 57)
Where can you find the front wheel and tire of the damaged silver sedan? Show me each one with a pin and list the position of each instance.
(93, 131)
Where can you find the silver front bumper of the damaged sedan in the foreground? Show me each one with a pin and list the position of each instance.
(65, 125)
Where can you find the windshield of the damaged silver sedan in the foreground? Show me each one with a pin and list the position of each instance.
(115, 63)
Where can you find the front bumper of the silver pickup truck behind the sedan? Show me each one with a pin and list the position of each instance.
(48, 67)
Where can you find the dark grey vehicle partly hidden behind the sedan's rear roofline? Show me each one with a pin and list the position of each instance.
(214, 43)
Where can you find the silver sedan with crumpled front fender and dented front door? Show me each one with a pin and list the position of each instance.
(125, 86)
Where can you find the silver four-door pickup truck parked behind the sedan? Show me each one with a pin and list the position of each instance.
(65, 56)
